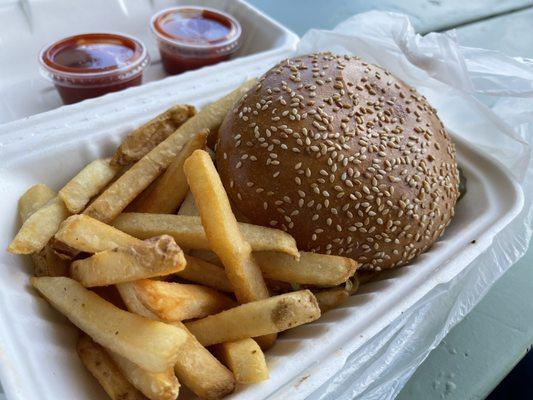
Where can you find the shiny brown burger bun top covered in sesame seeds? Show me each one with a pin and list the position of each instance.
(342, 155)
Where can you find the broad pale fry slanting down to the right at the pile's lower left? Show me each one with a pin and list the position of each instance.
(151, 344)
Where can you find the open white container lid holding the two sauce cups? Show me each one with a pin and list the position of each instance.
(28, 25)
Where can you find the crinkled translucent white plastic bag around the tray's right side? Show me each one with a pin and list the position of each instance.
(487, 98)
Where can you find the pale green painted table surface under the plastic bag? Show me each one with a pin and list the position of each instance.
(478, 353)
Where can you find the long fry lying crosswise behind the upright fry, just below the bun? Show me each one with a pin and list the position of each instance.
(189, 232)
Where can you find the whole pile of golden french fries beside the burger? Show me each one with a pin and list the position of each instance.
(143, 253)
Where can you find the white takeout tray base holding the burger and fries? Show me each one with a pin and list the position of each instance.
(37, 357)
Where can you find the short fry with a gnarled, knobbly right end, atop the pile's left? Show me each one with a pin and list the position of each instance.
(157, 256)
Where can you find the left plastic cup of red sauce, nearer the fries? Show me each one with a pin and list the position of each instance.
(93, 64)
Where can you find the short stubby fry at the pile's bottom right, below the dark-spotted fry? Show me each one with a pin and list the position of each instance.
(245, 359)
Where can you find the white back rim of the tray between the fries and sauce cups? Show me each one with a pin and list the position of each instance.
(135, 105)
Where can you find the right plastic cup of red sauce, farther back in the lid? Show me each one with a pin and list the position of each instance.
(192, 37)
